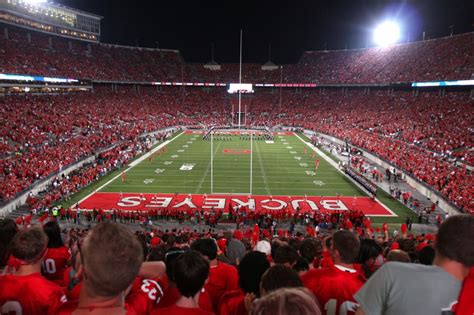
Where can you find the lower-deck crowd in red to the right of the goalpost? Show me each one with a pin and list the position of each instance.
(423, 135)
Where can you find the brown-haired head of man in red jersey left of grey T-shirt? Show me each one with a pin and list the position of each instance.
(346, 246)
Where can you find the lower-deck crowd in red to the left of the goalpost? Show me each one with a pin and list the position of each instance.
(42, 134)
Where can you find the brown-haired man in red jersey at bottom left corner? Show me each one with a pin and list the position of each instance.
(26, 291)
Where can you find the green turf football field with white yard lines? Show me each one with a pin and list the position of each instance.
(278, 168)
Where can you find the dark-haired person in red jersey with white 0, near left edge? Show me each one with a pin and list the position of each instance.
(57, 256)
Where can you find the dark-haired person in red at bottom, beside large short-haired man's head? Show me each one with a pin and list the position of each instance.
(190, 273)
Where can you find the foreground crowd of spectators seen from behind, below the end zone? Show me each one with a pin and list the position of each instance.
(49, 270)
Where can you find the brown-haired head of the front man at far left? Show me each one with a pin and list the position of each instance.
(29, 245)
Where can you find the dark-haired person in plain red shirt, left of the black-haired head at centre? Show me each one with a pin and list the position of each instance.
(222, 277)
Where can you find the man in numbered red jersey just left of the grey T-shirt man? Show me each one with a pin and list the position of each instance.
(334, 286)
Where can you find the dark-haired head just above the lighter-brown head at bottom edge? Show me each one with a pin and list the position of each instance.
(279, 276)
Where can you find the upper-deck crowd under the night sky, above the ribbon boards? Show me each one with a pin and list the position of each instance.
(448, 58)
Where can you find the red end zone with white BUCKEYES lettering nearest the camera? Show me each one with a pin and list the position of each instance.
(261, 204)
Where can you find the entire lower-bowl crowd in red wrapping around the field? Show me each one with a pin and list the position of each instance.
(424, 135)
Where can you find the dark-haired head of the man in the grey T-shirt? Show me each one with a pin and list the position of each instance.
(455, 239)
